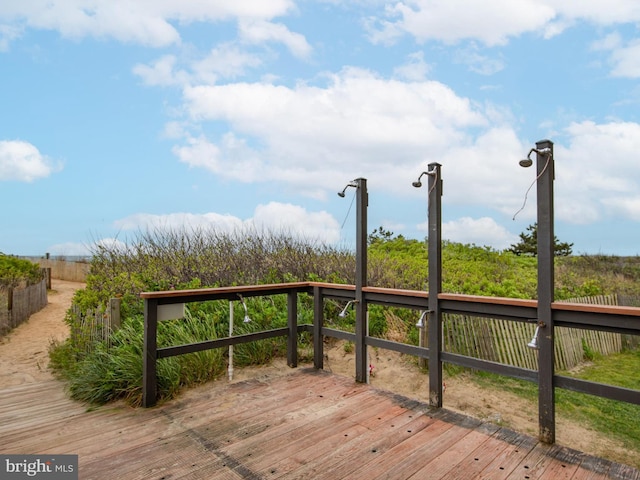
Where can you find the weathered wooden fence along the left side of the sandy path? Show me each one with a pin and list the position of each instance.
(18, 304)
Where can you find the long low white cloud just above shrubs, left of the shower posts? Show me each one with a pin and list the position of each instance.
(273, 217)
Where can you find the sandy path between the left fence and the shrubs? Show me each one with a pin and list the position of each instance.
(24, 355)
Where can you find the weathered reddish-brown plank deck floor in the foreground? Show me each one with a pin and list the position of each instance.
(308, 424)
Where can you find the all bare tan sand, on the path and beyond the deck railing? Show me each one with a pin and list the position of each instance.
(24, 359)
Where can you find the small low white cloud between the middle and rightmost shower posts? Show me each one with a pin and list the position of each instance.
(483, 231)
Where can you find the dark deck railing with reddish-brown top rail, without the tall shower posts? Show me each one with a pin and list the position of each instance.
(622, 320)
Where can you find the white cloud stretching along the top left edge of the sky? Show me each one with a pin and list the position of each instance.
(147, 22)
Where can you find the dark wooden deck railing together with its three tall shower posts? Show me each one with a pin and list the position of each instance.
(544, 313)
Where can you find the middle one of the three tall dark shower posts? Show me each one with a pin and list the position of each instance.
(434, 322)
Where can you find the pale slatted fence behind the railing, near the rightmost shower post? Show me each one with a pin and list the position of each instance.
(506, 342)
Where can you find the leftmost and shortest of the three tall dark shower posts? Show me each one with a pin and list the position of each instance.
(362, 200)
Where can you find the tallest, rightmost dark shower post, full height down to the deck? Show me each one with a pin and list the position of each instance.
(545, 175)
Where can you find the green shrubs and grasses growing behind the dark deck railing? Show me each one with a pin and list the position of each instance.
(177, 260)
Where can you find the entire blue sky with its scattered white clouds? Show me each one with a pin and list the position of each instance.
(119, 116)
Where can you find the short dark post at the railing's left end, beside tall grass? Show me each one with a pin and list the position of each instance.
(150, 353)
